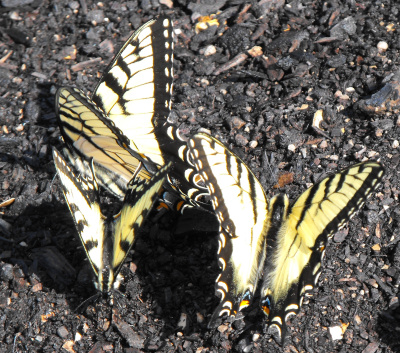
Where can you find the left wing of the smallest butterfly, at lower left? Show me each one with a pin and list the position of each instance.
(82, 196)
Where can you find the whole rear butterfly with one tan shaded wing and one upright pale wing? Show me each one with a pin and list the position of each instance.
(133, 95)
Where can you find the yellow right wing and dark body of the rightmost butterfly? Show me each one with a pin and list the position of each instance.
(293, 267)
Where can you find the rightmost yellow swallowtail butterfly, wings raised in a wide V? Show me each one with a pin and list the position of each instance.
(283, 244)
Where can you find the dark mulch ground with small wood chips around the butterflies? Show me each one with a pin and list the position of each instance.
(312, 55)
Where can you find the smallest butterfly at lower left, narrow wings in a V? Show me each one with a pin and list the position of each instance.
(107, 240)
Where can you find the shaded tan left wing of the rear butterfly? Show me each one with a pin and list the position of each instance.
(89, 135)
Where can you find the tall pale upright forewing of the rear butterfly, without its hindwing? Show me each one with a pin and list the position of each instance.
(136, 87)
